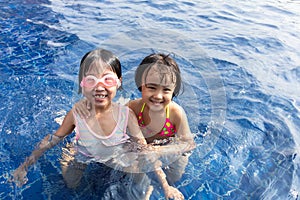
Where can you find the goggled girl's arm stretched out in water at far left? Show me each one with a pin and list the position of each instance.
(19, 175)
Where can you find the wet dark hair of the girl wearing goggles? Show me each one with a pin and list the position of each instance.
(99, 58)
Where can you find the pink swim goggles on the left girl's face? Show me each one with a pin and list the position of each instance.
(108, 80)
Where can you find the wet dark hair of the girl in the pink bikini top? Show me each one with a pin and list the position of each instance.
(162, 62)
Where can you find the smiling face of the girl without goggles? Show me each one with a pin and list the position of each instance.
(158, 88)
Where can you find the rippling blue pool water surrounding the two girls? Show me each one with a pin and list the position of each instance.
(241, 71)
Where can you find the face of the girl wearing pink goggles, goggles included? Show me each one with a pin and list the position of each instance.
(100, 88)
